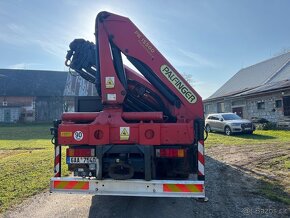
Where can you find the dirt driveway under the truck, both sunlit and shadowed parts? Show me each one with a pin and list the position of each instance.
(233, 178)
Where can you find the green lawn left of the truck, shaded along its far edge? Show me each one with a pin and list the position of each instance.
(26, 162)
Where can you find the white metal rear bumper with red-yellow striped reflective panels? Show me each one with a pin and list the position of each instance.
(132, 187)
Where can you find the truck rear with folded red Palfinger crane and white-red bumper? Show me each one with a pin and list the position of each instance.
(148, 139)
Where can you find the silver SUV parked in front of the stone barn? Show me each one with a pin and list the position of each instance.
(228, 123)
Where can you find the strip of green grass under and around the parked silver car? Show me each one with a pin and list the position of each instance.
(258, 137)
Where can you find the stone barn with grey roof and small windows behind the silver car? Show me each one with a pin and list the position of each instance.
(255, 92)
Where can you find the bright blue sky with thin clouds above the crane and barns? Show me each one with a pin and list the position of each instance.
(208, 40)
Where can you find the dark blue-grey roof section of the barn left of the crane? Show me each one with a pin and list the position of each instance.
(32, 82)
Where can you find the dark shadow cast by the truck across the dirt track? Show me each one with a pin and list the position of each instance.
(231, 193)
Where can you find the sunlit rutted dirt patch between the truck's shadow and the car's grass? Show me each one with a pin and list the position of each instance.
(259, 161)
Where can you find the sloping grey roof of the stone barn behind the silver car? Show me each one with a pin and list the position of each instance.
(264, 75)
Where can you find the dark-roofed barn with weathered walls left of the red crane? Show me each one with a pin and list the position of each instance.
(40, 96)
